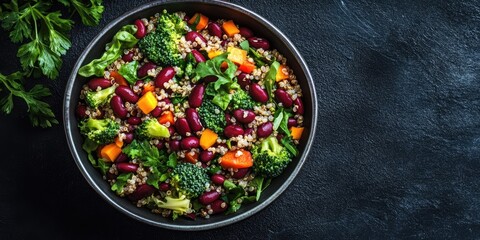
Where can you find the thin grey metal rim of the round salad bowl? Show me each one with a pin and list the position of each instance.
(236, 217)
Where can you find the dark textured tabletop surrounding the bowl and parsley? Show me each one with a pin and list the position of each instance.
(396, 153)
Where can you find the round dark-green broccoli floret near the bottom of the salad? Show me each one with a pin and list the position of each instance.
(189, 179)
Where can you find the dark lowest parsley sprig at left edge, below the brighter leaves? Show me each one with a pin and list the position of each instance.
(39, 112)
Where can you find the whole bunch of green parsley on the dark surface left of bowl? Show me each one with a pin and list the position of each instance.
(44, 37)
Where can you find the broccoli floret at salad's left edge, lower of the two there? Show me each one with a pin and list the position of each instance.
(100, 131)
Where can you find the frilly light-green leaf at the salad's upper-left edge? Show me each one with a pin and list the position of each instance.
(123, 39)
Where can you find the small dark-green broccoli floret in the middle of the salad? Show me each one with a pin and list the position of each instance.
(212, 116)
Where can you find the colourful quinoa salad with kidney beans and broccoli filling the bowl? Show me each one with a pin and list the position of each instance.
(189, 116)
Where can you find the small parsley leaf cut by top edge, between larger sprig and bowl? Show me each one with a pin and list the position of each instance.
(89, 13)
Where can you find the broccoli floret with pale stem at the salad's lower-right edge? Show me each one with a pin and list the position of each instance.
(270, 158)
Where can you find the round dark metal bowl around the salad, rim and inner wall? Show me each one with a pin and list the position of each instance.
(215, 9)
